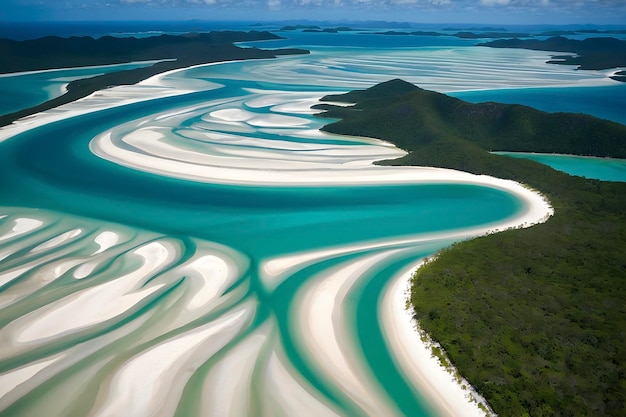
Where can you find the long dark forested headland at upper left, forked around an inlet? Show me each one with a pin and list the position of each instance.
(175, 52)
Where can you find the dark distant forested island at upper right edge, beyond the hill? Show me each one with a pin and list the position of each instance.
(591, 53)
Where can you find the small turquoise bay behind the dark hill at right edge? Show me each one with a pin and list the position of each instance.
(605, 169)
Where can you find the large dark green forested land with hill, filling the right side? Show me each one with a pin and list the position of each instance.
(534, 318)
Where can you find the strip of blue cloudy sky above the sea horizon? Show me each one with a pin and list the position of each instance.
(503, 12)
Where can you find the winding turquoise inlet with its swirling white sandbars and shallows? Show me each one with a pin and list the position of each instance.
(212, 253)
